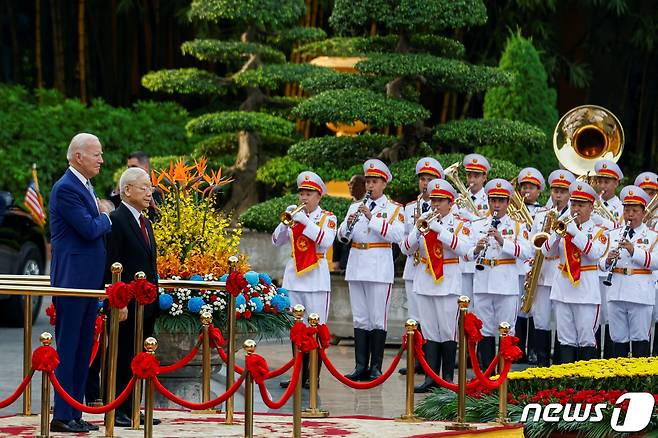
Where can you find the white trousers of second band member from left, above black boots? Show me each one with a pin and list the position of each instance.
(370, 303)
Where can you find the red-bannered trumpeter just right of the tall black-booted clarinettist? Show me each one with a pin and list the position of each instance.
(437, 281)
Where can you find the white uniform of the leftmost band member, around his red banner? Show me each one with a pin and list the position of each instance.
(311, 287)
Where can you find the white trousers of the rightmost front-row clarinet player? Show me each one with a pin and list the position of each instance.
(629, 321)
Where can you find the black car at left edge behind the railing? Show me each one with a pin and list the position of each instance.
(22, 251)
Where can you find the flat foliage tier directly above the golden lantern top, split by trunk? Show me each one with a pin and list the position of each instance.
(364, 46)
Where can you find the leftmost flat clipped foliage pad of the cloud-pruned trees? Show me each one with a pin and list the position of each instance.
(185, 81)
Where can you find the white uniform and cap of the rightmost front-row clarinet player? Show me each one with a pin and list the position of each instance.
(631, 296)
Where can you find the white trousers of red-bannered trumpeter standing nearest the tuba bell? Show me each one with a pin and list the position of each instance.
(577, 323)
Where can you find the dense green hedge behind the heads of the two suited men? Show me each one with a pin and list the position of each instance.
(40, 132)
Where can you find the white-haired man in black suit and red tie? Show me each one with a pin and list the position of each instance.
(132, 244)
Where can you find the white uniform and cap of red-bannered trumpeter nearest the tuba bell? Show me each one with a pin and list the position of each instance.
(577, 306)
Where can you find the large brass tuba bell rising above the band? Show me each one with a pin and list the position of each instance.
(586, 134)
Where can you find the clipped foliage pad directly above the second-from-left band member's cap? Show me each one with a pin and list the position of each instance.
(341, 152)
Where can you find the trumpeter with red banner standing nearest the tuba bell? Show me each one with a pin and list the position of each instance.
(575, 292)
